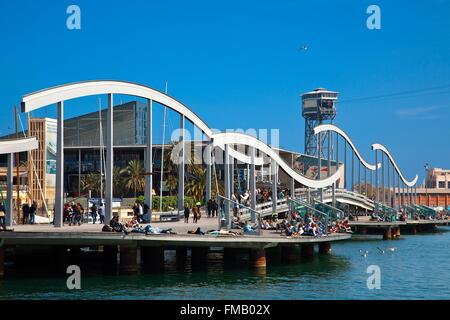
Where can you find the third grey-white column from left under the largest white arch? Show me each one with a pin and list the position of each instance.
(149, 158)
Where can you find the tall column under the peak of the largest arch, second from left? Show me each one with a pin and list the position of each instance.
(109, 160)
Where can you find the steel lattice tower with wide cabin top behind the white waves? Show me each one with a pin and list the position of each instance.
(318, 106)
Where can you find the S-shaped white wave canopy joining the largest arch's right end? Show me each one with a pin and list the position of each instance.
(241, 138)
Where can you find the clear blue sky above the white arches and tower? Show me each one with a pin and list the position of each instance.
(237, 64)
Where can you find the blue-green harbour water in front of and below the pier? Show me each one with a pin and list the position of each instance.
(417, 269)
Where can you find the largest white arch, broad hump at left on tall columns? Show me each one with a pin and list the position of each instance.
(70, 91)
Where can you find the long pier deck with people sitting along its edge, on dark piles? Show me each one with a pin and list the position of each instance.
(88, 234)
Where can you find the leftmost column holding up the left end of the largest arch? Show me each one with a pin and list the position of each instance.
(59, 190)
